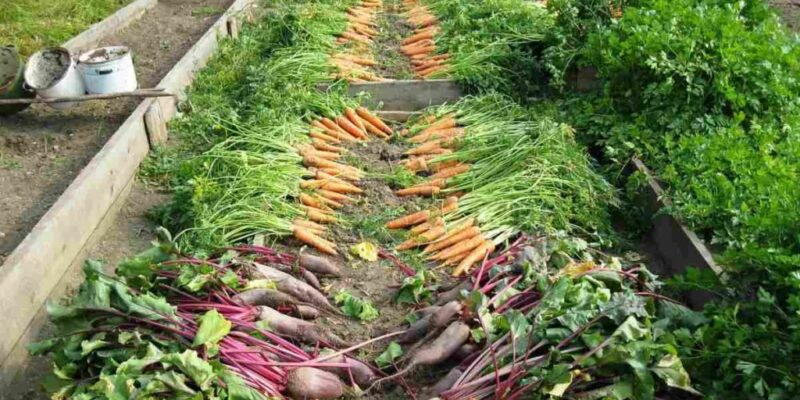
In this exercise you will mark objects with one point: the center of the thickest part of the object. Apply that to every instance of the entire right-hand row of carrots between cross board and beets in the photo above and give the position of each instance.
(462, 245)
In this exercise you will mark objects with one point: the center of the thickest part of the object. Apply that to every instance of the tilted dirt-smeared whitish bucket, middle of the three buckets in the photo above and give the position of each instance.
(52, 73)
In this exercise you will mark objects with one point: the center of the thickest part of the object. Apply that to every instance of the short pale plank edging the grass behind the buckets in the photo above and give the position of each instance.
(113, 23)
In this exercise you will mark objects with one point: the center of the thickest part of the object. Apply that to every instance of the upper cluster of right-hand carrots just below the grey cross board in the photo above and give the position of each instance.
(437, 139)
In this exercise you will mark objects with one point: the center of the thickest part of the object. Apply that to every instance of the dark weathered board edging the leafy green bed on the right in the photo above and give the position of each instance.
(678, 246)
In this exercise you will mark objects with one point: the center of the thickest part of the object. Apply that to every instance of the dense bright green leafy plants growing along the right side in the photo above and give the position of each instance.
(706, 92)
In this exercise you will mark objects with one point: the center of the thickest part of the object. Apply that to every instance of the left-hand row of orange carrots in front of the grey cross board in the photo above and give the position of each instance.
(332, 181)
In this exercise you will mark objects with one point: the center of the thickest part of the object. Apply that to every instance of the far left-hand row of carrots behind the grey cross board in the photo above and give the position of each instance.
(353, 63)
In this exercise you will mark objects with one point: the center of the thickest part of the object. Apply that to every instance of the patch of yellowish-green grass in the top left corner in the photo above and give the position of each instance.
(30, 25)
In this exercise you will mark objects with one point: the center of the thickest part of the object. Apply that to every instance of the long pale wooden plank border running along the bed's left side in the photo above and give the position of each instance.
(34, 270)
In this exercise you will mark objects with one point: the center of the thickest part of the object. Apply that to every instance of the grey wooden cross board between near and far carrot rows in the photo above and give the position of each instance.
(405, 95)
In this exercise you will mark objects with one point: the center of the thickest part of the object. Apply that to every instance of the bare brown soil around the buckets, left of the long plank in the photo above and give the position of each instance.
(42, 150)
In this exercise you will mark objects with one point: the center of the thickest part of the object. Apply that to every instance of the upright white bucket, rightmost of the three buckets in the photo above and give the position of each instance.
(108, 70)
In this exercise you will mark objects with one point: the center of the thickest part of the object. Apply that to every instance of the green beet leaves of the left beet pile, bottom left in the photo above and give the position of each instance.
(106, 346)
